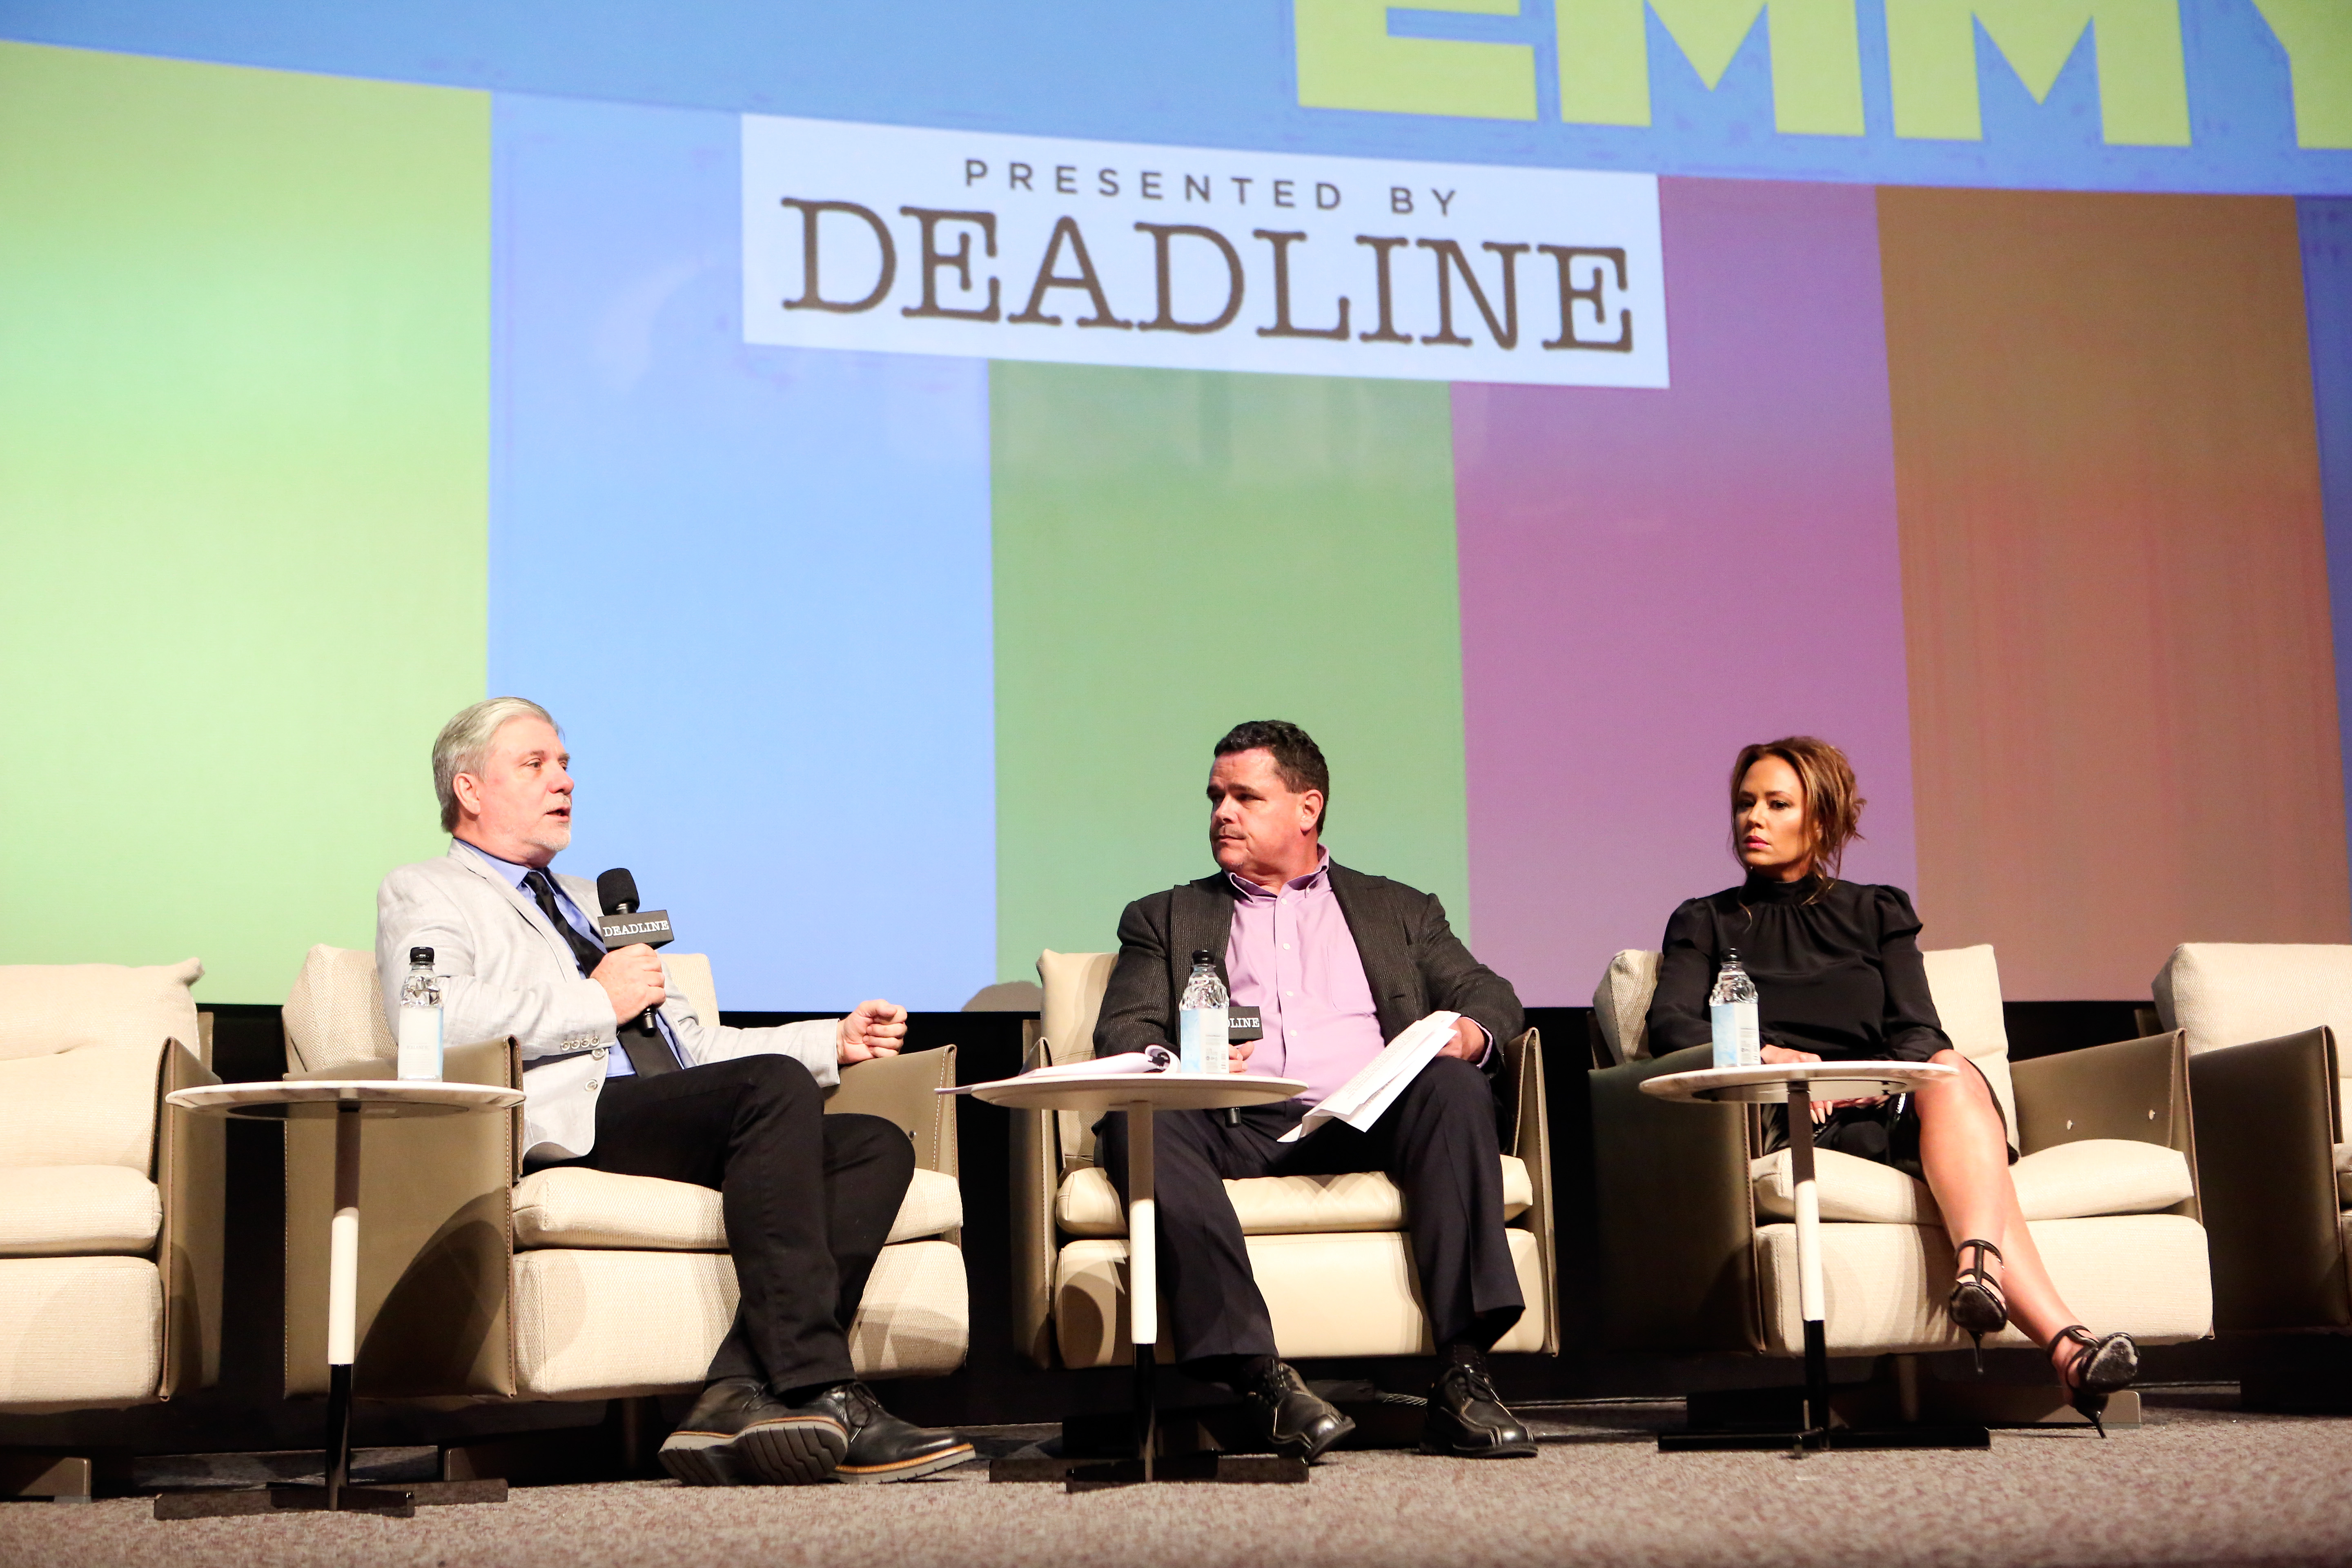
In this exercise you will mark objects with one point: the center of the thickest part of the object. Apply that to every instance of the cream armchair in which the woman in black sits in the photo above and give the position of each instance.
(1697, 1224)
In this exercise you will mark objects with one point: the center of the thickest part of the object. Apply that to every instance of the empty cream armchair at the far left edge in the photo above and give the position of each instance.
(109, 1198)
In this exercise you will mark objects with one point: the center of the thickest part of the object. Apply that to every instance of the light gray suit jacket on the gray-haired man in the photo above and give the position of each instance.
(509, 972)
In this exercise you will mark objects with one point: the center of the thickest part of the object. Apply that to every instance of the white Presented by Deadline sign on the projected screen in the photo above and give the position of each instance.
(1102, 253)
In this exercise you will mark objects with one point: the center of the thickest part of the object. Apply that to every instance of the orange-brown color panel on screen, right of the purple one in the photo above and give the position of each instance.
(2113, 582)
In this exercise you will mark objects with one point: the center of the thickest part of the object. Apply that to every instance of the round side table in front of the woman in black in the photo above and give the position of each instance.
(1798, 1085)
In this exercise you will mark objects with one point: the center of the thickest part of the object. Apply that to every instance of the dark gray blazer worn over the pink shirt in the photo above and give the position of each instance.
(1412, 960)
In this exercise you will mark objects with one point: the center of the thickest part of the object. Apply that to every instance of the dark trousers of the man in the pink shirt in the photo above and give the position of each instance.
(1438, 1144)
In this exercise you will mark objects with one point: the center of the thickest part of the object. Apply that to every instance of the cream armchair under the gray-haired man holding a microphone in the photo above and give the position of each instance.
(479, 1280)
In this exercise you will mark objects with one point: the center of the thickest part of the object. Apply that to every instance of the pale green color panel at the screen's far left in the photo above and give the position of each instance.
(243, 483)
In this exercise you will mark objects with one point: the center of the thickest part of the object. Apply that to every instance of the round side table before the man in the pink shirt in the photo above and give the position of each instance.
(1140, 1094)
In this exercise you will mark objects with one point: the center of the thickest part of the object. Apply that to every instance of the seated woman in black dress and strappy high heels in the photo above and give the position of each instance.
(1840, 977)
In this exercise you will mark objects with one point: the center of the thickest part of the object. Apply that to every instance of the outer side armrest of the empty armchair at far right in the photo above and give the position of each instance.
(2266, 1127)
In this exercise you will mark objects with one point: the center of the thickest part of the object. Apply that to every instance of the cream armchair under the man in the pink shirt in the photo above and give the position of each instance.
(1328, 1252)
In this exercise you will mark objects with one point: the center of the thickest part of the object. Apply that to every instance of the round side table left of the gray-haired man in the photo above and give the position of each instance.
(349, 1101)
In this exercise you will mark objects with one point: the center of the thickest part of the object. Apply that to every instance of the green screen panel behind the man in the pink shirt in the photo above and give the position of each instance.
(1180, 551)
